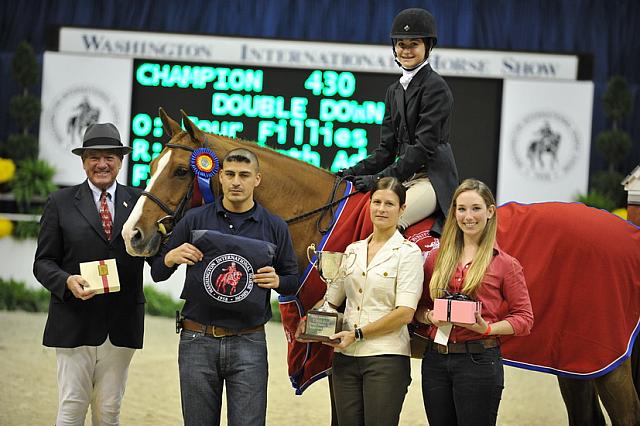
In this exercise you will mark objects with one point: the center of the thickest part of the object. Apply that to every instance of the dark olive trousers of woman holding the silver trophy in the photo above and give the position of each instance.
(370, 390)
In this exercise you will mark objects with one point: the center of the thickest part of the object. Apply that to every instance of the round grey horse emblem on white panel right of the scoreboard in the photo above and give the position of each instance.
(545, 145)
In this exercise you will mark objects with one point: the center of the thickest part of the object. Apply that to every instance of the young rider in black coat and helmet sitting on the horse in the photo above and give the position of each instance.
(414, 138)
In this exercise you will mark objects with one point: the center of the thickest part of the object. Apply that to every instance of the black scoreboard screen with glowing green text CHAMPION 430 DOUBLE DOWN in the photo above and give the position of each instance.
(327, 118)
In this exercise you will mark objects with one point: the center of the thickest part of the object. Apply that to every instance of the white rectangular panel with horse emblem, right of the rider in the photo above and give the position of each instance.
(545, 141)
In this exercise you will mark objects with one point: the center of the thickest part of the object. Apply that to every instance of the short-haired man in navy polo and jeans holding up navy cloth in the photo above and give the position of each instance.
(219, 345)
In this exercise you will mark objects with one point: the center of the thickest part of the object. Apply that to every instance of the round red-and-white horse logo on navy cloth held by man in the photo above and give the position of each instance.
(228, 278)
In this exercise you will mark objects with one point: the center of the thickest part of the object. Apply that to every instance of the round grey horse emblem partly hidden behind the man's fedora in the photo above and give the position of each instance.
(76, 108)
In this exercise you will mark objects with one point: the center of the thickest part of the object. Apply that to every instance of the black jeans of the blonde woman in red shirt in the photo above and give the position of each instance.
(462, 389)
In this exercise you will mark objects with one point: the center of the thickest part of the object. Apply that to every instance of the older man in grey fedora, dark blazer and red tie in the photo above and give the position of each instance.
(95, 335)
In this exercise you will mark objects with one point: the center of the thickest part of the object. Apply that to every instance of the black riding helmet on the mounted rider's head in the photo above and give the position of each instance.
(414, 23)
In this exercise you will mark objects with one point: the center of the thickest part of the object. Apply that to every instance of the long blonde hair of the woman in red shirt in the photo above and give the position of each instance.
(452, 242)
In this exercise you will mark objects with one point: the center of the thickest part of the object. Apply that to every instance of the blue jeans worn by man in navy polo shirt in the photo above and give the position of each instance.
(206, 363)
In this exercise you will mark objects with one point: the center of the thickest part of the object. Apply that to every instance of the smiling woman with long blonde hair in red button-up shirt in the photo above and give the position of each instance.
(462, 375)
